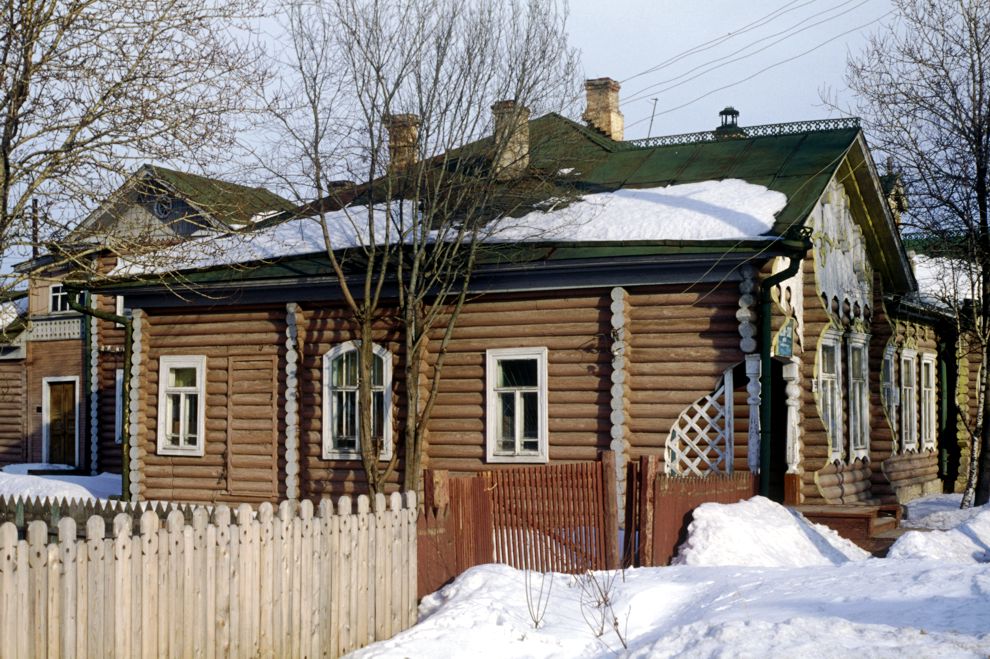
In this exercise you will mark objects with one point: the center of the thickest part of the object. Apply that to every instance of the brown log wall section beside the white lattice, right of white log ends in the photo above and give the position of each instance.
(681, 343)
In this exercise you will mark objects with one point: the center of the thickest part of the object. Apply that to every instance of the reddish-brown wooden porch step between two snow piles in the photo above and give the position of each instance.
(872, 527)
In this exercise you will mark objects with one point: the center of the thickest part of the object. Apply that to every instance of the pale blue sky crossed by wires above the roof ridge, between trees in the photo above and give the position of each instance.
(734, 40)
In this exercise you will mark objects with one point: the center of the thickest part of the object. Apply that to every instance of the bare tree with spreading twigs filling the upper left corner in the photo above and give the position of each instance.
(89, 88)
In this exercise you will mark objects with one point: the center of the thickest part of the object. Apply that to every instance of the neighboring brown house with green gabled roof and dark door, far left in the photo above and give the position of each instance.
(71, 365)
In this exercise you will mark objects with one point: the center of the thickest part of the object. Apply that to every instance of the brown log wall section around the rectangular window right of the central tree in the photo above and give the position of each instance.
(575, 328)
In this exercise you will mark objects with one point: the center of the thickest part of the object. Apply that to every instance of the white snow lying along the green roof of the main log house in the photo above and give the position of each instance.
(712, 210)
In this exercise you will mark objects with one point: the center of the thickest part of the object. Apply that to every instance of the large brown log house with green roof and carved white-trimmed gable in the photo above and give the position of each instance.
(630, 323)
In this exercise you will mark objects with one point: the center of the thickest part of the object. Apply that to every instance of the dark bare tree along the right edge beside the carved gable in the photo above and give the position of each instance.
(924, 89)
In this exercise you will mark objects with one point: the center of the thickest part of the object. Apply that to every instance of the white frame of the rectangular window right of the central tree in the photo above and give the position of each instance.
(492, 453)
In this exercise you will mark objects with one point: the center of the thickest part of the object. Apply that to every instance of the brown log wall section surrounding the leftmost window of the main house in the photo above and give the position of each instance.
(242, 348)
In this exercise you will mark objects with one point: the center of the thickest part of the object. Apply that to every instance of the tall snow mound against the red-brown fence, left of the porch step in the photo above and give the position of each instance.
(761, 533)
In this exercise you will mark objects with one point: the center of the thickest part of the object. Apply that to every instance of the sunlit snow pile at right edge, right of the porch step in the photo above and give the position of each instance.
(967, 543)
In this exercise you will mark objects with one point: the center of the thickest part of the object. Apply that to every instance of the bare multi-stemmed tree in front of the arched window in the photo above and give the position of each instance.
(393, 95)
